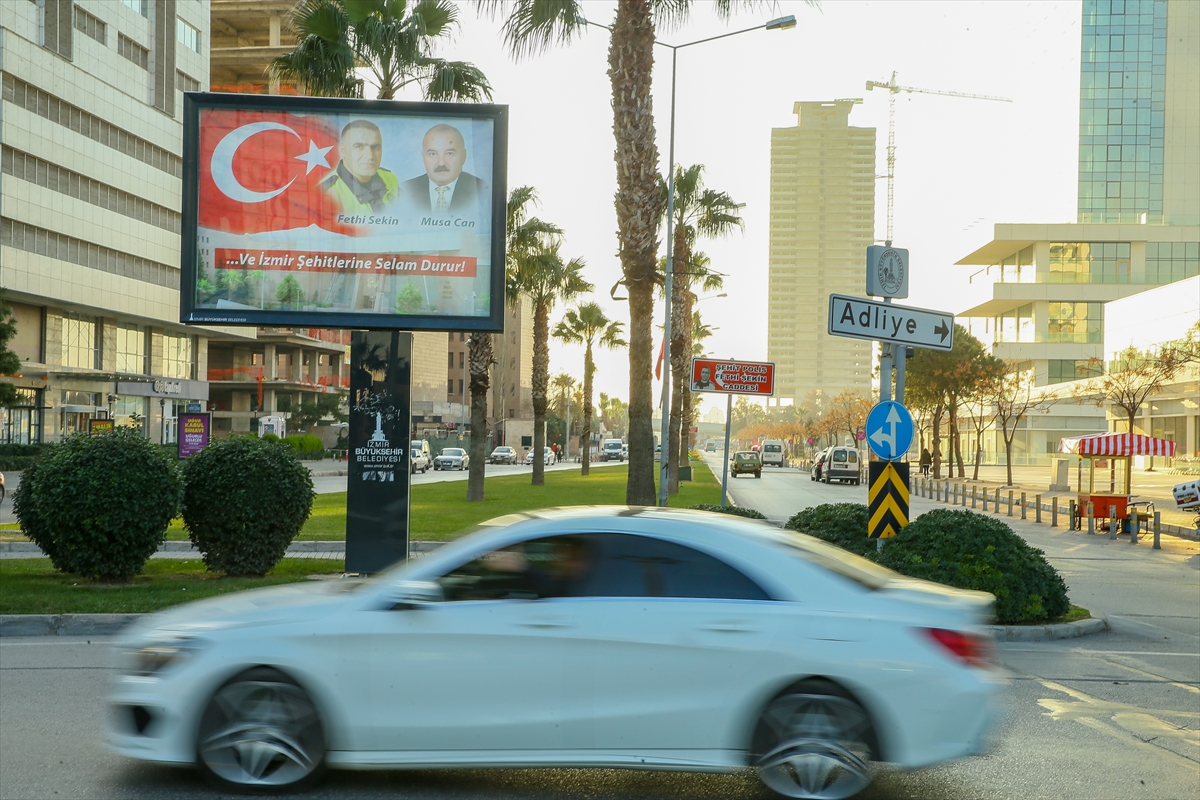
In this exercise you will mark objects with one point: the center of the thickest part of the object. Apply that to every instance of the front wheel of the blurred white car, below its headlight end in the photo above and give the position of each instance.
(261, 732)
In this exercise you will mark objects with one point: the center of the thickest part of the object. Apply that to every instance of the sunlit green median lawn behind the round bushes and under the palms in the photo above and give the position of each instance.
(441, 510)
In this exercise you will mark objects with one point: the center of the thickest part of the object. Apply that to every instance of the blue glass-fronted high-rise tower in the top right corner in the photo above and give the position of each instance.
(1139, 107)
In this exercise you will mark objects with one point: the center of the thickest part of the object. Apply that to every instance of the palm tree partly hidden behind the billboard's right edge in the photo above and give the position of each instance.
(524, 236)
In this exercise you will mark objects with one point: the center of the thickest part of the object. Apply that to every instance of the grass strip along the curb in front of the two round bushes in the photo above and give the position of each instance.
(33, 587)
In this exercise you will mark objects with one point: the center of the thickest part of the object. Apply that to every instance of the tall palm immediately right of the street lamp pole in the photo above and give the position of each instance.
(699, 212)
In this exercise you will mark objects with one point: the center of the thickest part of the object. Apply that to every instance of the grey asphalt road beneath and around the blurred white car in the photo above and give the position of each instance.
(1109, 717)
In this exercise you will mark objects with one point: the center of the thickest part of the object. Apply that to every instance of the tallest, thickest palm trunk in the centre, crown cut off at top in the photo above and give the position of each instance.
(533, 27)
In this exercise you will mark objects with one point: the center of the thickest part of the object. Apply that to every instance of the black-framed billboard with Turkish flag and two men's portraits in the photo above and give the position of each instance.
(331, 213)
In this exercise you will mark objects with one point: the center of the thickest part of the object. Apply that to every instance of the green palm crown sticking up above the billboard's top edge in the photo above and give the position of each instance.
(391, 39)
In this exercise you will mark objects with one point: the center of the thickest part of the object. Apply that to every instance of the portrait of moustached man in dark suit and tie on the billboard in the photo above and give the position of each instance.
(446, 190)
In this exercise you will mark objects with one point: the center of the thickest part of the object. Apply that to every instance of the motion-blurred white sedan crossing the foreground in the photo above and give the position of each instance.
(591, 637)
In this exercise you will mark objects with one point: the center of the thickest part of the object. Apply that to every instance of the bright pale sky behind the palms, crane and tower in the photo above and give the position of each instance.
(962, 165)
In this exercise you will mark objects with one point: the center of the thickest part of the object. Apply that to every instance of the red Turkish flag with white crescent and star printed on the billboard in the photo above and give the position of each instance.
(260, 172)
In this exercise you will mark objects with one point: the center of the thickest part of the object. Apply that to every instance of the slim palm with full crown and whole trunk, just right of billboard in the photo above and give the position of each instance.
(542, 275)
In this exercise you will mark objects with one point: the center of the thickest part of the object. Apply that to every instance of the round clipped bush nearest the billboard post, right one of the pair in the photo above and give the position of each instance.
(244, 502)
